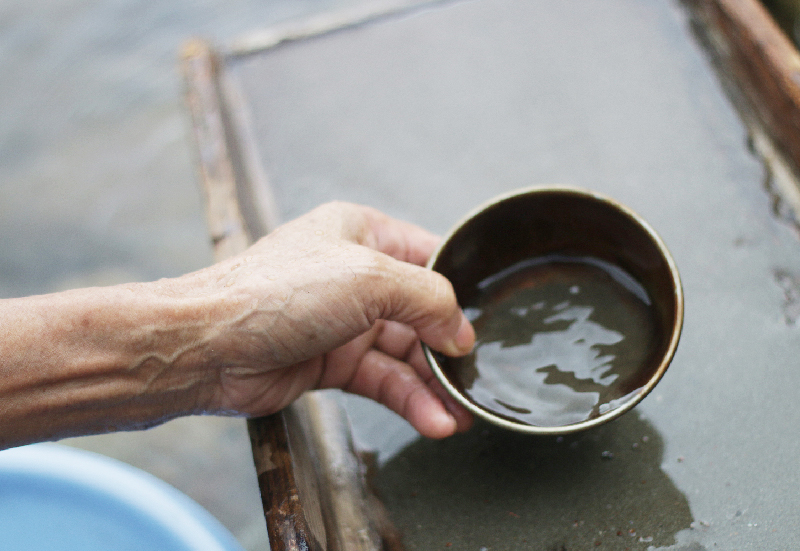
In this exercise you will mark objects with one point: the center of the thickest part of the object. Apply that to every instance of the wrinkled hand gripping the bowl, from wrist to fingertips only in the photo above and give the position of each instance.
(338, 299)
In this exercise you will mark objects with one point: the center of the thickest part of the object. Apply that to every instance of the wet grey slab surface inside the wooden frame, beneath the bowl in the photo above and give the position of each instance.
(425, 117)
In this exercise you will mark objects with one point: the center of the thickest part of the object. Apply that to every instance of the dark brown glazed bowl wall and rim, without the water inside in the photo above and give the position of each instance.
(564, 222)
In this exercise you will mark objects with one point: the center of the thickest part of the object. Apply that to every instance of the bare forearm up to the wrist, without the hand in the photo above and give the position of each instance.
(94, 360)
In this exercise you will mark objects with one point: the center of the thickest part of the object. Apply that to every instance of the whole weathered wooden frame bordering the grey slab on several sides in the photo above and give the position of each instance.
(312, 485)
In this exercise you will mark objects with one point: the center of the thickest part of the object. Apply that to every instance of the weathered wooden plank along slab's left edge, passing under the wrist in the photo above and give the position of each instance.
(311, 480)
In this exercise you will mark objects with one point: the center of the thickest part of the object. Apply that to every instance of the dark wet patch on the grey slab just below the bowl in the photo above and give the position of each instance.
(505, 491)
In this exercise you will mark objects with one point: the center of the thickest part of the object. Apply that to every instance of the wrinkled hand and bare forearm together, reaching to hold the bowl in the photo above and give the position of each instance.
(336, 298)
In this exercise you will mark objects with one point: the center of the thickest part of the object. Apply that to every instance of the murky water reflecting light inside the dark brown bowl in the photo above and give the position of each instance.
(559, 340)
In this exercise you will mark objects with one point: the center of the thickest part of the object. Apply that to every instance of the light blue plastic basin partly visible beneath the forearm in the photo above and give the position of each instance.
(57, 498)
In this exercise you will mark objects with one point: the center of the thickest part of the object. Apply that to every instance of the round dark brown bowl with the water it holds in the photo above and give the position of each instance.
(577, 306)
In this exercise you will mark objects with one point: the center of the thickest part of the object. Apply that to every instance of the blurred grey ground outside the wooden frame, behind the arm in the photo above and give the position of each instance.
(98, 186)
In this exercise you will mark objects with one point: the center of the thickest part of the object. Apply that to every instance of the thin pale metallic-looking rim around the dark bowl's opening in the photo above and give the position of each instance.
(635, 397)
